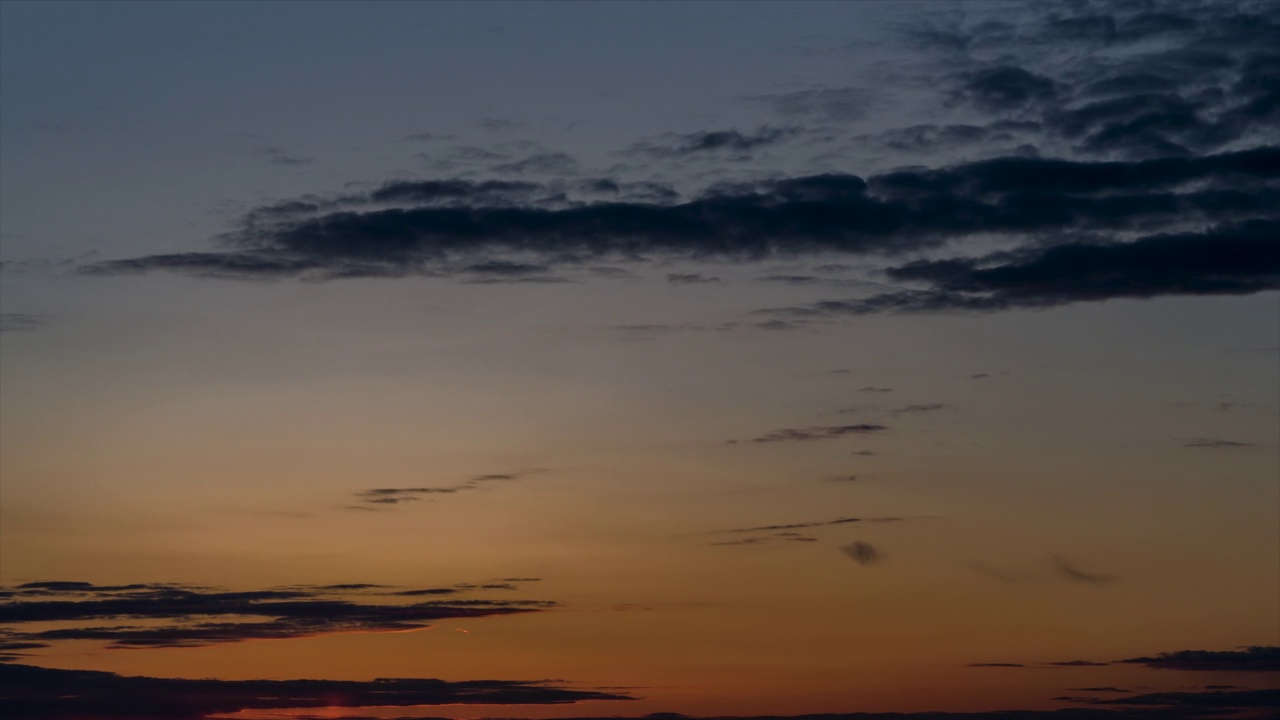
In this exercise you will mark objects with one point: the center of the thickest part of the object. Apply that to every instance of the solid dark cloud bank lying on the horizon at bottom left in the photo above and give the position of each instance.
(43, 694)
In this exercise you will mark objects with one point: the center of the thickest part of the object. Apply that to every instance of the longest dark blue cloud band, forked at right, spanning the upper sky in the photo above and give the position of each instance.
(449, 226)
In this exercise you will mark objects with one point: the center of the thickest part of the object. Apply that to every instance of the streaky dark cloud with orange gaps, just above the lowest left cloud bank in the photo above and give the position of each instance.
(199, 617)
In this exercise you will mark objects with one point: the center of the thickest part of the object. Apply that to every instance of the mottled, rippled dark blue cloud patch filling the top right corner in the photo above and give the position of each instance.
(1212, 83)
